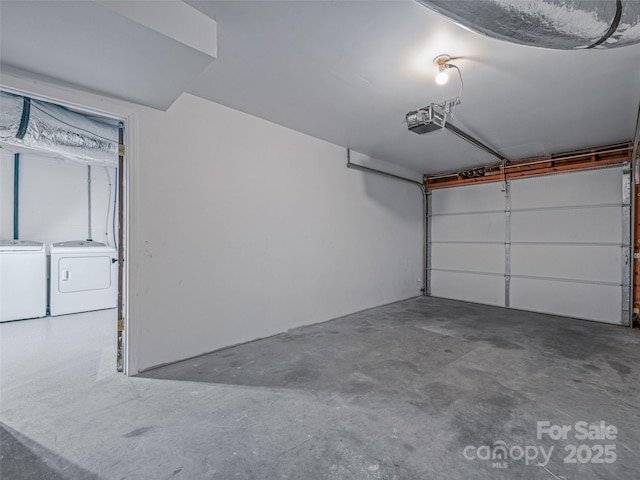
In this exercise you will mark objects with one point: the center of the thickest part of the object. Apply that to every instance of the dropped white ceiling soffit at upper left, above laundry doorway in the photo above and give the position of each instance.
(90, 46)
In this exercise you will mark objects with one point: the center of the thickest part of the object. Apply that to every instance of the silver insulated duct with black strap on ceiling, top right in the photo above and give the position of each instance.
(557, 24)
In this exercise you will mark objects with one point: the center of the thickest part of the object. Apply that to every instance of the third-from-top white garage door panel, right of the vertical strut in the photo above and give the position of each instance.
(597, 263)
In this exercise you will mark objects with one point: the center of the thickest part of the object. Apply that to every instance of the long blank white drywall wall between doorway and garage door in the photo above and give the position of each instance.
(245, 229)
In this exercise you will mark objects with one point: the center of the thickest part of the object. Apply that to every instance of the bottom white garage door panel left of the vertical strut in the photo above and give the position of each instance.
(485, 289)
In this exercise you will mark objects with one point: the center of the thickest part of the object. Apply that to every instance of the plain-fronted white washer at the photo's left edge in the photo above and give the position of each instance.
(23, 280)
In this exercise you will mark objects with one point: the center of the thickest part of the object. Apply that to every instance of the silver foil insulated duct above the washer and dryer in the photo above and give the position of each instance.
(28, 124)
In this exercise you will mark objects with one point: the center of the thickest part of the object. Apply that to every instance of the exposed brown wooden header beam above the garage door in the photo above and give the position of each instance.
(588, 158)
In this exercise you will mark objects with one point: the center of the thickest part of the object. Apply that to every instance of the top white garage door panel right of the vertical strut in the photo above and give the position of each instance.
(571, 188)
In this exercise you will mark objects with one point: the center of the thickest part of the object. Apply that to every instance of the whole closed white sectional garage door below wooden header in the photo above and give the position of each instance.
(556, 244)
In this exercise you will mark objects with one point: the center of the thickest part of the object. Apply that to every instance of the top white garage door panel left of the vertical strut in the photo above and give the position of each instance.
(472, 198)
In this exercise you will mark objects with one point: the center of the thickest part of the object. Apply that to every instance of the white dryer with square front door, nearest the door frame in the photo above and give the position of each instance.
(84, 277)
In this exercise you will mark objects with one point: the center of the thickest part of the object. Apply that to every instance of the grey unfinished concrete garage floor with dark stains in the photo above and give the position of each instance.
(421, 389)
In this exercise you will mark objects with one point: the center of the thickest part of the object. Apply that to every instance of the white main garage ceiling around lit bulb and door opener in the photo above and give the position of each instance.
(348, 72)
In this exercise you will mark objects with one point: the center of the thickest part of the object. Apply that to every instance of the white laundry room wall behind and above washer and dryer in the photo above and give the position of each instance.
(53, 199)
